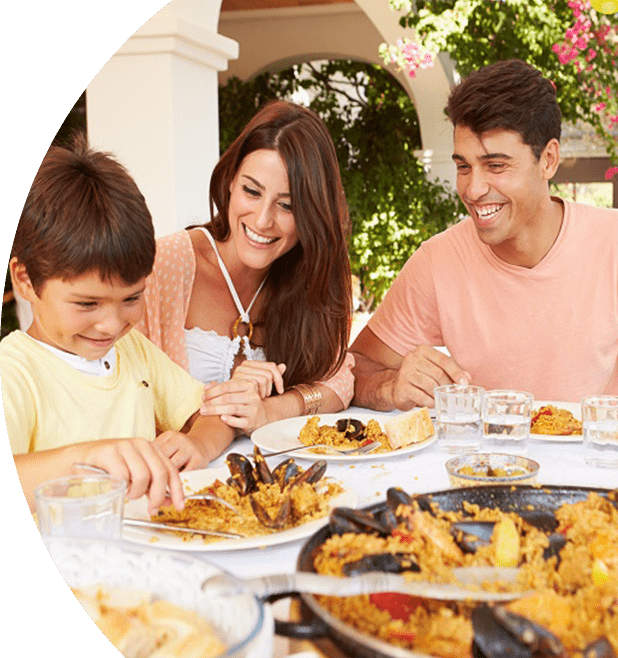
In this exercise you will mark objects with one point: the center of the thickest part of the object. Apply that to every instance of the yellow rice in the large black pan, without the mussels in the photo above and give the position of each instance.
(567, 600)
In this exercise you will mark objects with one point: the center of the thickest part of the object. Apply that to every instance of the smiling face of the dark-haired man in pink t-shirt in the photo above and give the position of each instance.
(501, 184)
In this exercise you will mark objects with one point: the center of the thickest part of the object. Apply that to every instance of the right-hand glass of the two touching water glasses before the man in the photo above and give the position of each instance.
(506, 421)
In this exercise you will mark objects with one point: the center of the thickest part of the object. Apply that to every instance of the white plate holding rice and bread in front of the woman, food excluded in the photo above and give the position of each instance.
(283, 435)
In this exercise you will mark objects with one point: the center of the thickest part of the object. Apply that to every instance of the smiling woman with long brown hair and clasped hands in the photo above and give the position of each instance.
(258, 300)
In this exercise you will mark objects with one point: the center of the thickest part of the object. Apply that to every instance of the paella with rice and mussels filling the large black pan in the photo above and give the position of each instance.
(569, 557)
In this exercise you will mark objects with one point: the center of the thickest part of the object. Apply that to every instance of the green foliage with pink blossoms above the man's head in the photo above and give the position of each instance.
(570, 43)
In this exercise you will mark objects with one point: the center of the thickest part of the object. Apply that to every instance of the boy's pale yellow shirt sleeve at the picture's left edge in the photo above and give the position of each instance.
(19, 408)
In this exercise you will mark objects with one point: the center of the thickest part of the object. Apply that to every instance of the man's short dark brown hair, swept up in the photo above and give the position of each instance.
(508, 95)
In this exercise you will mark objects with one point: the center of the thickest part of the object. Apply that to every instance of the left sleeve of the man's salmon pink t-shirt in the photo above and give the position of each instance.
(408, 314)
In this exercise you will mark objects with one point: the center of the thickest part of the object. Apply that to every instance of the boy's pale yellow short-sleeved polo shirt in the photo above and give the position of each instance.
(49, 404)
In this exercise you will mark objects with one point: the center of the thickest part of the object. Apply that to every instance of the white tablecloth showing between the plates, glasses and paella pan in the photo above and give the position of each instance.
(421, 471)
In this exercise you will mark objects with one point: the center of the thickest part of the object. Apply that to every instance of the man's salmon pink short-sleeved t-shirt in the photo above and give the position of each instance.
(551, 329)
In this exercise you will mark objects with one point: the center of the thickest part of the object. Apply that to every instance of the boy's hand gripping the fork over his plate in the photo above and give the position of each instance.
(143, 464)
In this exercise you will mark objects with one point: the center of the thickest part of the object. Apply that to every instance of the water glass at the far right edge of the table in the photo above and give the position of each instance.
(600, 427)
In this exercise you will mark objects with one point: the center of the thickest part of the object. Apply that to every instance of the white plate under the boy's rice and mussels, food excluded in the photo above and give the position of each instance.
(194, 481)
